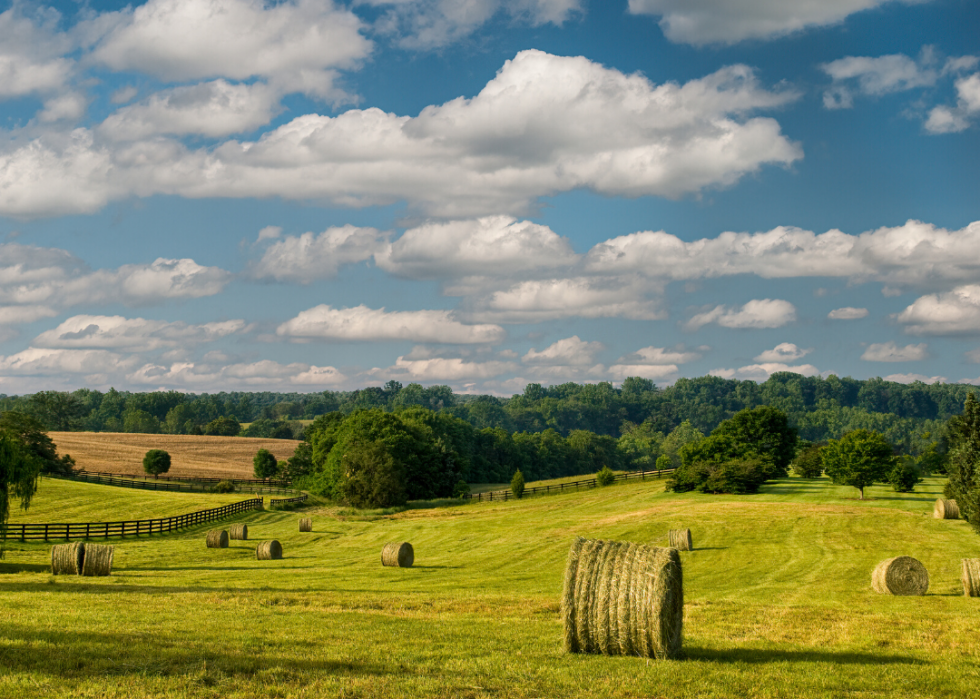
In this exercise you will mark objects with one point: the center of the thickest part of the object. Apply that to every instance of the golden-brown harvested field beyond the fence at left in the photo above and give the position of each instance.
(191, 455)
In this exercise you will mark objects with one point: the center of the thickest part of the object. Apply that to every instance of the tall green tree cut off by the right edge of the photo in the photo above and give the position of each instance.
(963, 465)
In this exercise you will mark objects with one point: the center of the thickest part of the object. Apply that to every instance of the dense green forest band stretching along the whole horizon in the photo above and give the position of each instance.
(818, 408)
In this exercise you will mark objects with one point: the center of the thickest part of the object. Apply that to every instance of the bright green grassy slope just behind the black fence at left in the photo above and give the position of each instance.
(66, 501)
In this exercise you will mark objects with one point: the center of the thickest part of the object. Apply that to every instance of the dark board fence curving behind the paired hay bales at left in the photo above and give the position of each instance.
(89, 530)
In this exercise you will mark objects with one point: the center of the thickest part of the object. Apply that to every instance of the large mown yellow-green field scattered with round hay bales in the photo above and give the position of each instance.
(777, 592)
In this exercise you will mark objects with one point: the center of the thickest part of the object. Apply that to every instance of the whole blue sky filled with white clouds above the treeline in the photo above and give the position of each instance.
(209, 195)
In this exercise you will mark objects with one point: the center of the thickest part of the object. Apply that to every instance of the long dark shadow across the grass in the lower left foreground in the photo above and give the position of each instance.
(84, 654)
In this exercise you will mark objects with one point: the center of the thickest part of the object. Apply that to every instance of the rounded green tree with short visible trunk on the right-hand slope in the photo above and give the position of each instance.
(859, 458)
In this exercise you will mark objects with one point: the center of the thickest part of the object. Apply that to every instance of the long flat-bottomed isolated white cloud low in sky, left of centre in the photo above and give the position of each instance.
(368, 324)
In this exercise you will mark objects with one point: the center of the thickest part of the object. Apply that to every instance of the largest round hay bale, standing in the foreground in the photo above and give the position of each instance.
(621, 598)
